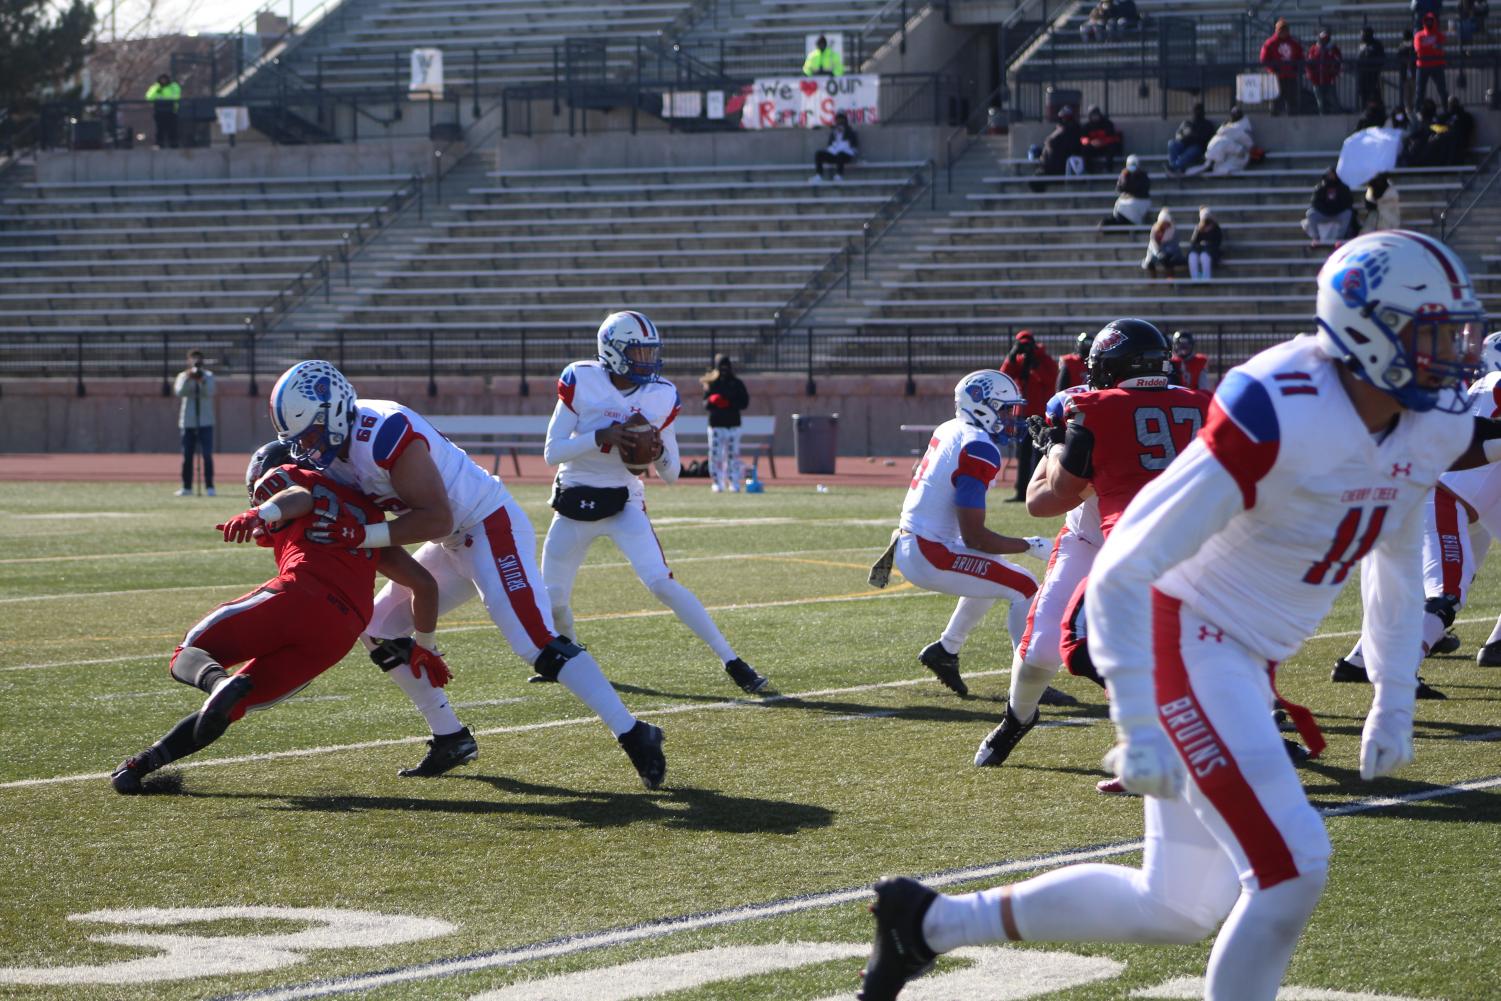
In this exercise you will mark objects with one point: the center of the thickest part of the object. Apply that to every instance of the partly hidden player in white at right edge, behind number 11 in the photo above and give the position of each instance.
(1464, 516)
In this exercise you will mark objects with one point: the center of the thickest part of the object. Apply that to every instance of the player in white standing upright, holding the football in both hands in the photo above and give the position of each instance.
(597, 494)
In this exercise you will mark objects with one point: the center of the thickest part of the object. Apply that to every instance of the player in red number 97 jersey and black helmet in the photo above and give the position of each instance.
(1116, 439)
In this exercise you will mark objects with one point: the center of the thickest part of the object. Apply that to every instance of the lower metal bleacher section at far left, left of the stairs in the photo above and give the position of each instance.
(139, 268)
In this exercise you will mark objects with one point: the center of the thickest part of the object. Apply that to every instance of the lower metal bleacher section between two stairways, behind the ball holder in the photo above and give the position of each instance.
(532, 260)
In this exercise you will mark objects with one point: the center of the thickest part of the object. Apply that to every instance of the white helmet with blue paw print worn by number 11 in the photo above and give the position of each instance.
(1383, 302)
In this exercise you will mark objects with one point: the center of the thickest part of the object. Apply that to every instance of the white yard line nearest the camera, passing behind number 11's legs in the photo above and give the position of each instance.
(663, 928)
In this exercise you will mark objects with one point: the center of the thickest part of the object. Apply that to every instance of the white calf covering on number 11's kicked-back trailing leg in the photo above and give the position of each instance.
(1101, 904)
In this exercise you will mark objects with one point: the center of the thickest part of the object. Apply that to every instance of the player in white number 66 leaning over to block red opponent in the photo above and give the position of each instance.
(478, 541)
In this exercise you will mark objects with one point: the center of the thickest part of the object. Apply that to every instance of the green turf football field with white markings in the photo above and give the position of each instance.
(290, 861)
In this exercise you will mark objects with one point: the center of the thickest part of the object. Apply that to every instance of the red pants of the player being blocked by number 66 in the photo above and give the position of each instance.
(286, 633)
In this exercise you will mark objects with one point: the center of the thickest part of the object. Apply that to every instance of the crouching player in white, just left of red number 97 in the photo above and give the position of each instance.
(943, 544)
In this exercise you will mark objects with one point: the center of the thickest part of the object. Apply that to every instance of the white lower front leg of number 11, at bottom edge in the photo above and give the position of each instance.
(1253, 952)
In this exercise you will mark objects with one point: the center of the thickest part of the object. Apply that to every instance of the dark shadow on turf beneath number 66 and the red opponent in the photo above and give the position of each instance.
(681, 808)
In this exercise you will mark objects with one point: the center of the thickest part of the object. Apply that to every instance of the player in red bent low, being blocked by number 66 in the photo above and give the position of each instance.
(298, 625)
